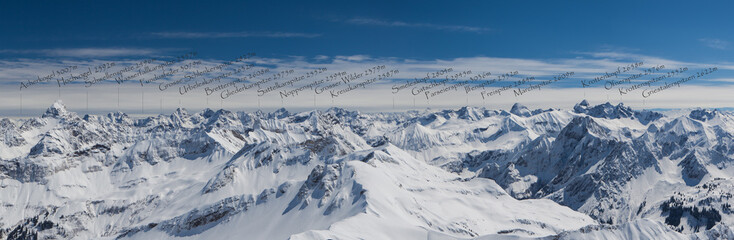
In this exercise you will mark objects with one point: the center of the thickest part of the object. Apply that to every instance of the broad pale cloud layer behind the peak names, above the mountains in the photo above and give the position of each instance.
(704, 92)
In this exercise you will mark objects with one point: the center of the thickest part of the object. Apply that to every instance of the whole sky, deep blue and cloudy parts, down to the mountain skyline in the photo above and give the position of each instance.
(538, 38)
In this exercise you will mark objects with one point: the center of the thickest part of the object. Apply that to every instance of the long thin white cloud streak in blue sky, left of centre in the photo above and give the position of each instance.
(193, 35)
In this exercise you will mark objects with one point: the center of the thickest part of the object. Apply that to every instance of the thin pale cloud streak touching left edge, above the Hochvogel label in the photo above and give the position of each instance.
(84, 52)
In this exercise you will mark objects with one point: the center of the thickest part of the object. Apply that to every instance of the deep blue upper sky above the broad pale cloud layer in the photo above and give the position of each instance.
(684, 31)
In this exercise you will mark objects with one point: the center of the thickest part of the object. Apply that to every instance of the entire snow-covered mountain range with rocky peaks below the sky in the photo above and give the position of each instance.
(592, 172)
